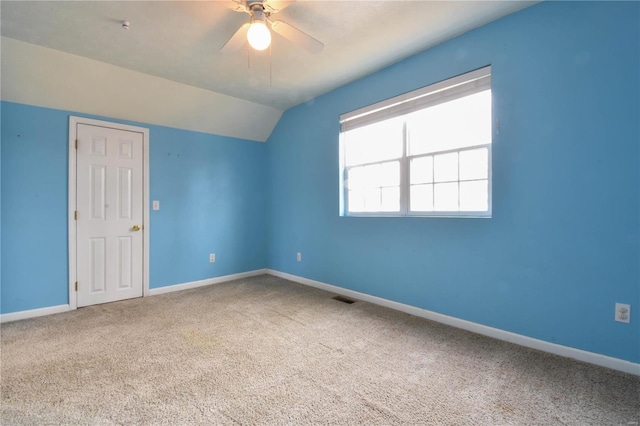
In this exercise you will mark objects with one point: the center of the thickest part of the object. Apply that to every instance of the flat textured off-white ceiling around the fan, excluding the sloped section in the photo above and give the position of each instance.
(181, 40)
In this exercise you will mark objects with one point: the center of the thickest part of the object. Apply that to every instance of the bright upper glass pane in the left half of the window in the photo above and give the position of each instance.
(375, 142)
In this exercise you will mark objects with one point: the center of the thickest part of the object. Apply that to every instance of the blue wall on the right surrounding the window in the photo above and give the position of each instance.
(563, 244)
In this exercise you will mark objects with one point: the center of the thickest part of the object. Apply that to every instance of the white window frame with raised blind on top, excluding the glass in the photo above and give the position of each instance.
(444, 91)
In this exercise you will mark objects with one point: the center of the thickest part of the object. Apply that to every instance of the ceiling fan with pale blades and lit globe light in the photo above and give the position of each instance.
(257, 33)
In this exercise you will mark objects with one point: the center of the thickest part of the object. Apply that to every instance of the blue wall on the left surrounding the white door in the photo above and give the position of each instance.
(211, 191)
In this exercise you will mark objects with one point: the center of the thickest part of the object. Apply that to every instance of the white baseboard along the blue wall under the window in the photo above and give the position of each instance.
(541, 345)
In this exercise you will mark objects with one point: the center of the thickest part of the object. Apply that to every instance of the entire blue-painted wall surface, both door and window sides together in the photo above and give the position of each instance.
(562, 246)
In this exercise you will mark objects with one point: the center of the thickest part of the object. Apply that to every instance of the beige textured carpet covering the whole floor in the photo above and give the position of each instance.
(267, 351)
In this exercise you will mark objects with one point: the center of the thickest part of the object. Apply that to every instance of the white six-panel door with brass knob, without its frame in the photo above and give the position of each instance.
(109, 201)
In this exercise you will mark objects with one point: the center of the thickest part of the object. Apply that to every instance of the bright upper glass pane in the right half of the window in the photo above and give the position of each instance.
(451, 125)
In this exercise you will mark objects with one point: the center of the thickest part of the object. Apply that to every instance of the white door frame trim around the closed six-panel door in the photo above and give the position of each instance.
(73, 128)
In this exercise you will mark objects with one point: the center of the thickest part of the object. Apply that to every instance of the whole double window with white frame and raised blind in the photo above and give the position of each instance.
(424, 153)
